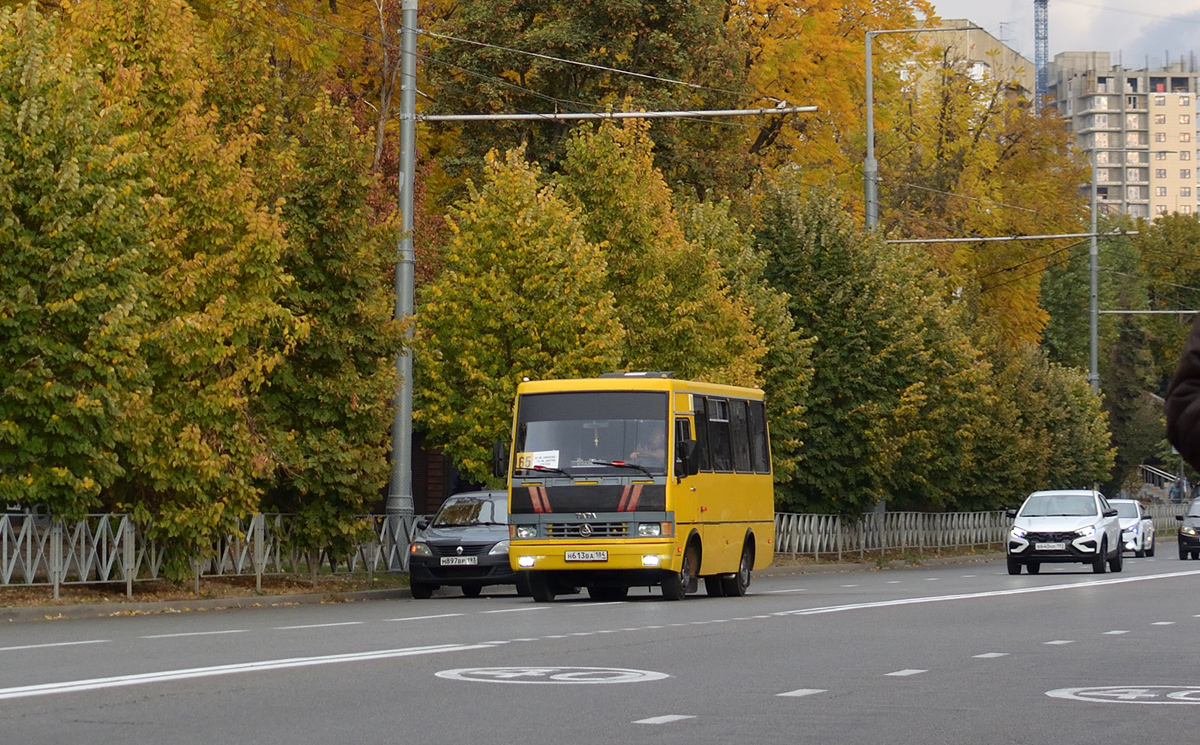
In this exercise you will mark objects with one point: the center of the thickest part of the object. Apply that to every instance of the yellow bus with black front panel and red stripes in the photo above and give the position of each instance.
(638, 480)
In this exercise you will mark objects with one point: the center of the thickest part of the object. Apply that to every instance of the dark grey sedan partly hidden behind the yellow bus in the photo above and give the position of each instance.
(466, 545)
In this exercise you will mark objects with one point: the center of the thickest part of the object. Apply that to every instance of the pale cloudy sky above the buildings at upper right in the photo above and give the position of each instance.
(1136, 29)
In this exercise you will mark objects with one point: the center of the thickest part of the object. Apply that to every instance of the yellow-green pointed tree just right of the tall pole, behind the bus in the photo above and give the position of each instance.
(523, 293)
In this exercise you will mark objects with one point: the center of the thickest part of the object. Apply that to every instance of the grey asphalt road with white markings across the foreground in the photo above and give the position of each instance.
(949, 654)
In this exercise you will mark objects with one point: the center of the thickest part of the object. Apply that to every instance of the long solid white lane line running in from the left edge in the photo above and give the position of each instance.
(93, 684)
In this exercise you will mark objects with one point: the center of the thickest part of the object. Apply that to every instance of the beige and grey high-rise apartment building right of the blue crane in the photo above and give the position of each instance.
(1138, 128)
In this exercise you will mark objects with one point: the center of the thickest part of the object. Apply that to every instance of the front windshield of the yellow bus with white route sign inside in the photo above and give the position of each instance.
(592, 432)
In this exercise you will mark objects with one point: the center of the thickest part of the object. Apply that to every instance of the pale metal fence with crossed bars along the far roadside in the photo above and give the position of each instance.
(111, 549)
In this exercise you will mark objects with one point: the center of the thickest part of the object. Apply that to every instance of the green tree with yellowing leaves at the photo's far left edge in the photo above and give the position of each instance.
(75, 239)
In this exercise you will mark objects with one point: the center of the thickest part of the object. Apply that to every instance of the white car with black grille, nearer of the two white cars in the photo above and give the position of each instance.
(1064, 527)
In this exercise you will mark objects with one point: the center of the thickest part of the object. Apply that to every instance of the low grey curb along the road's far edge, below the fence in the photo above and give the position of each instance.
(116, 610)
